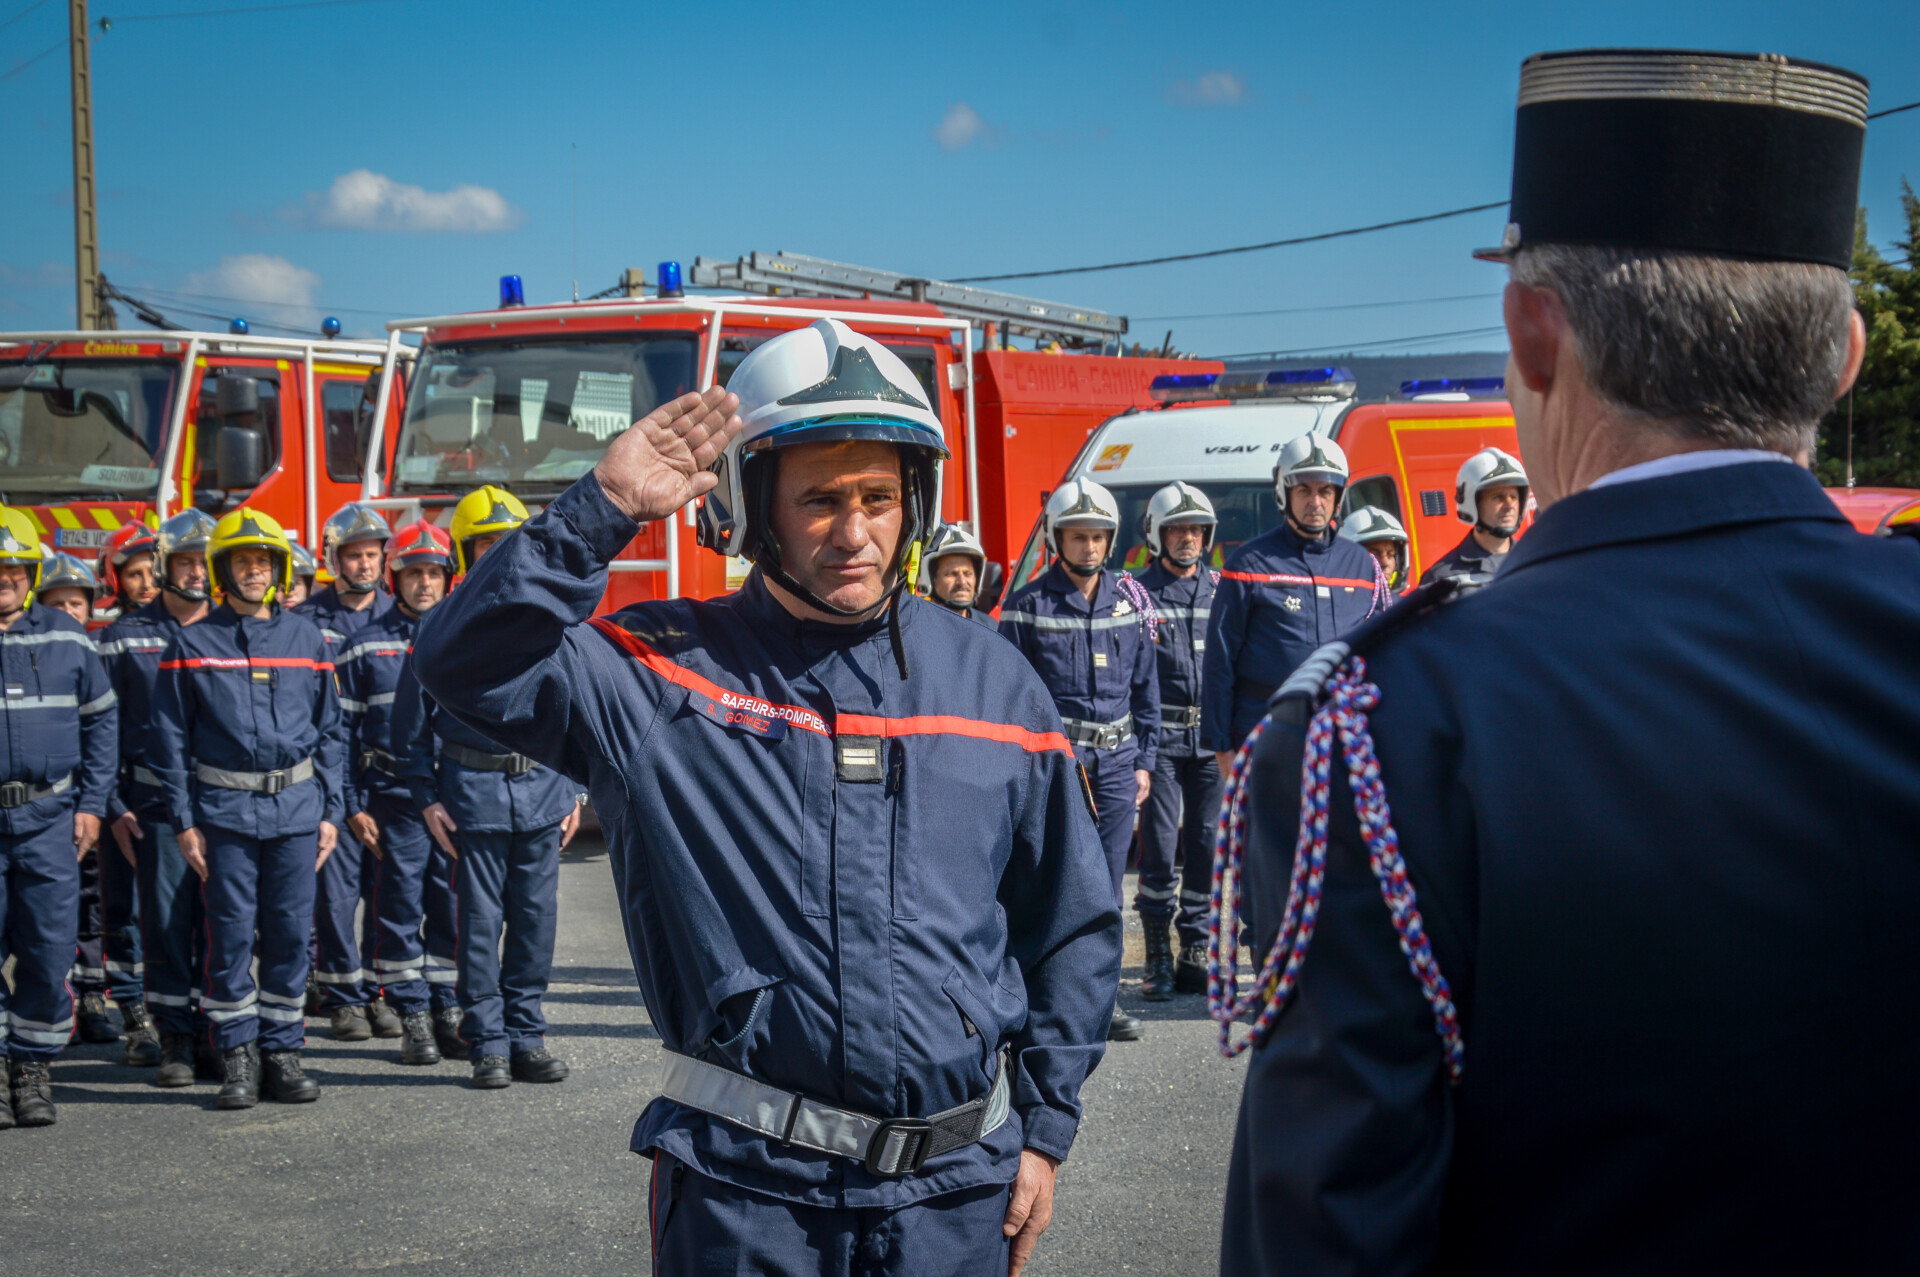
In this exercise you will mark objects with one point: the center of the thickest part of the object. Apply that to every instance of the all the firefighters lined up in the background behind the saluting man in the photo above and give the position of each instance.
(247, 765)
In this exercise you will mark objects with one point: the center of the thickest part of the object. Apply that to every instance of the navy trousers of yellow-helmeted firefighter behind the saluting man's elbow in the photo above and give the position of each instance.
(506, 882)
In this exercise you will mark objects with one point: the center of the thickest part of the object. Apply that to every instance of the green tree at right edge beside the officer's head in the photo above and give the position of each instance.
(1886, 400)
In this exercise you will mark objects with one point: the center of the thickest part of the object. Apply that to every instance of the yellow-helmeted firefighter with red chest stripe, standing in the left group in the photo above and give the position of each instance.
(247, 746)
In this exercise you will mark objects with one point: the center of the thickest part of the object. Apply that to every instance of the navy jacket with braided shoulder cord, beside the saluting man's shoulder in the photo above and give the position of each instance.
(1092, 656)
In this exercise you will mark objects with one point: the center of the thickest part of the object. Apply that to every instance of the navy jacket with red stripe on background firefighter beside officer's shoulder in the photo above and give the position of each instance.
(1280, 598)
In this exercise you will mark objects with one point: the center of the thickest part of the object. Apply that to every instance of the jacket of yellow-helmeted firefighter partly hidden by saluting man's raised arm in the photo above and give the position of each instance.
(477, 800)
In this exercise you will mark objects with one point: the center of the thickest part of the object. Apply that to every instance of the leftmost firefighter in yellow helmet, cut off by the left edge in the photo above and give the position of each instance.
(57, 759)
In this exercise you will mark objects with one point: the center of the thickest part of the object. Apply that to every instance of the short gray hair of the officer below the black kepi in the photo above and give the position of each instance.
(1740, 354)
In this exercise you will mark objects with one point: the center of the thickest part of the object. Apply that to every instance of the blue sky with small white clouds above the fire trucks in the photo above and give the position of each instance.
(395, 158)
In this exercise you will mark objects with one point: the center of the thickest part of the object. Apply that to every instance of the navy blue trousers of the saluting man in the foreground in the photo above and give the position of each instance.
(711, 1228)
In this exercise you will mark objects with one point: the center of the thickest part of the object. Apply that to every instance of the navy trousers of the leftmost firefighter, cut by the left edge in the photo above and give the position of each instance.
(39, 927)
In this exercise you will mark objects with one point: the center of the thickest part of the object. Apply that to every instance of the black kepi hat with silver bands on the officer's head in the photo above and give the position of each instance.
(1750, 157)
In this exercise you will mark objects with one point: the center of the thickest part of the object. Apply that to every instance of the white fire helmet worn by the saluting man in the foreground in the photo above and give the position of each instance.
(821, 385)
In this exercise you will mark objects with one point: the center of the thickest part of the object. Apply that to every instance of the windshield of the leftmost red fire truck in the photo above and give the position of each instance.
(84, 429)
